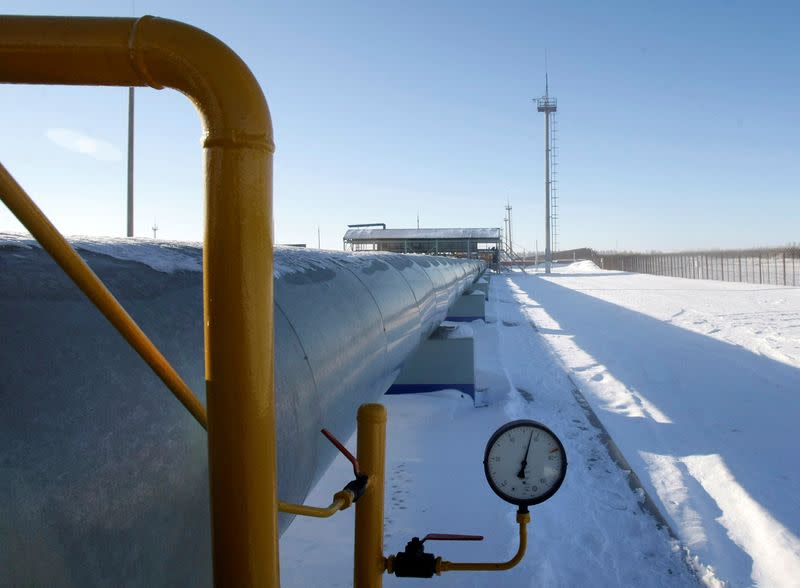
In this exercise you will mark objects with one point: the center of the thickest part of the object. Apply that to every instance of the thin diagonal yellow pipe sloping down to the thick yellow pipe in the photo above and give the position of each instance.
(21, 205)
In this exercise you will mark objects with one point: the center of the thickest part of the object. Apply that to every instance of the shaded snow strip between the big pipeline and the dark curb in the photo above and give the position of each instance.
(593, 532)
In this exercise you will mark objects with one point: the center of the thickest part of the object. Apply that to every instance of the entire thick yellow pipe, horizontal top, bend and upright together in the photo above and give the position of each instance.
(237, 255)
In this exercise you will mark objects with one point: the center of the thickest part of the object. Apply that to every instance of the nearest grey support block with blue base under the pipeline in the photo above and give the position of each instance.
(444, 361)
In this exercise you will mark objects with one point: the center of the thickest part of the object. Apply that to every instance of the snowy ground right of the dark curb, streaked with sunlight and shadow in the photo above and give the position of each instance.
(698, 383)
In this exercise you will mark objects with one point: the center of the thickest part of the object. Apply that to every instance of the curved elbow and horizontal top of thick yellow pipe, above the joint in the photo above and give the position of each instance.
(146, 51)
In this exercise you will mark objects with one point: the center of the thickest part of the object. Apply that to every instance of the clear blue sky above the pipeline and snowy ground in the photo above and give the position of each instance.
(678, 122)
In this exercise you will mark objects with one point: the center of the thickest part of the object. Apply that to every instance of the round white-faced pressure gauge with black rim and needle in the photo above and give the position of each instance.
(525, 463)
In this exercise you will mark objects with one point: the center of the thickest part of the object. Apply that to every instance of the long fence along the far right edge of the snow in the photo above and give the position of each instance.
(780, 267)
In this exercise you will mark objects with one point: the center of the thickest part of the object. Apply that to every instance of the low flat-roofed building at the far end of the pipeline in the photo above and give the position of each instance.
(476, 243)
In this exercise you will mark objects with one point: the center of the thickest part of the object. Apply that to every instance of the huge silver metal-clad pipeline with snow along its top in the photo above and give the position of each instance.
(105, 477)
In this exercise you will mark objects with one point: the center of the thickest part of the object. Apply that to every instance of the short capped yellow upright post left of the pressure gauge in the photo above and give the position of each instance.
(368, 552)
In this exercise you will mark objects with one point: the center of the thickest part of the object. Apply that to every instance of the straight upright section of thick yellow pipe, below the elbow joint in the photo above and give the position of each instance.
(237, 276)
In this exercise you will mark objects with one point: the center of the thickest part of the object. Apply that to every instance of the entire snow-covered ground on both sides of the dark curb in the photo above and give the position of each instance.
(696, 381)
